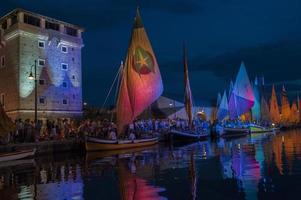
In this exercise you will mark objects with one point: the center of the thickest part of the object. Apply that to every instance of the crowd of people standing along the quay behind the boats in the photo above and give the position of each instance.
(27, 131)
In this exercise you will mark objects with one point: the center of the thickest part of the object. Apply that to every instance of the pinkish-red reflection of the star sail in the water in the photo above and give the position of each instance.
(133, 187)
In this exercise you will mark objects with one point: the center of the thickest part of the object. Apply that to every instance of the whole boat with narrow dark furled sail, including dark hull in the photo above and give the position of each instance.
(193, 132)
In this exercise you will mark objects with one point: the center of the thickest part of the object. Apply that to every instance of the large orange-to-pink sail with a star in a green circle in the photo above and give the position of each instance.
(141, 82)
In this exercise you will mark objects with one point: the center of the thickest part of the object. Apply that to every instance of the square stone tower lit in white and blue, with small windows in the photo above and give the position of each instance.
(27, 37)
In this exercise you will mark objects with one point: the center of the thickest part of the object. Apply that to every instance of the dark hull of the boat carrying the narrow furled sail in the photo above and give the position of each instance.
(187, 135)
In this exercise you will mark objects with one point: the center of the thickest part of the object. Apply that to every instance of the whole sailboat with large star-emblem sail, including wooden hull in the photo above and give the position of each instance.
(141, 85)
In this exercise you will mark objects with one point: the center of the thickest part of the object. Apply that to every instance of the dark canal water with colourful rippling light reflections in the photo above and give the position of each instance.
(260, 166)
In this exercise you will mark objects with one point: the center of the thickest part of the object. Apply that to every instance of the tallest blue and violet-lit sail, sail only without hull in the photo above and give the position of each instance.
(242, 96)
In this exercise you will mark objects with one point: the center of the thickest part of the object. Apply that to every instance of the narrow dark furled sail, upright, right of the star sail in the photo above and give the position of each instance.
(187, 92)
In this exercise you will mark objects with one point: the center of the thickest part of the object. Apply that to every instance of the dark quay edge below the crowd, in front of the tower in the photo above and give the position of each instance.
(47, 147)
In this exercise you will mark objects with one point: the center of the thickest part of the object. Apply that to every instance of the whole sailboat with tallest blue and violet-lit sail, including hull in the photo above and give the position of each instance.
(240, 102)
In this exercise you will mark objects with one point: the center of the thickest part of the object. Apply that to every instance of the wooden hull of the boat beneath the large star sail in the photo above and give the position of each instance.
(95, 144)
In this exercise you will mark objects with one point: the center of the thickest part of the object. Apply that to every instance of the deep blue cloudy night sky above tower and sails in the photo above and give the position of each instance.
(219, 34)
